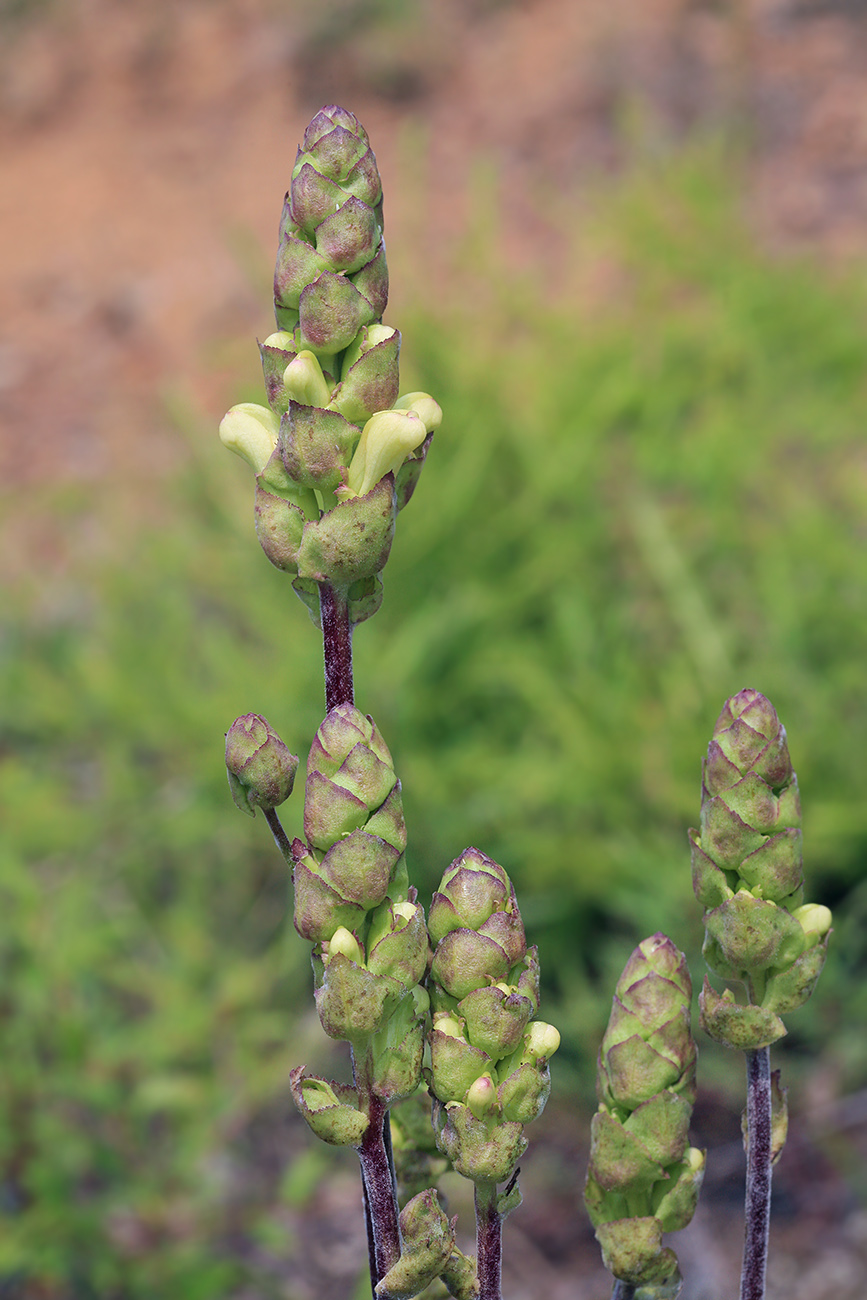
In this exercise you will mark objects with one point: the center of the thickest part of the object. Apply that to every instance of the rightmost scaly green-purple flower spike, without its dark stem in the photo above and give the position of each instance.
(748, 874)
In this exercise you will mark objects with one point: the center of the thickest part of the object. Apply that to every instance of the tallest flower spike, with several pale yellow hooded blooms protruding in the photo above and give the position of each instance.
(337, 452)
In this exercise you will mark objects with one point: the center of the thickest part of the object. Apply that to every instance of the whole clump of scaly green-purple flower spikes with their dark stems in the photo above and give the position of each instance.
(441, 1017)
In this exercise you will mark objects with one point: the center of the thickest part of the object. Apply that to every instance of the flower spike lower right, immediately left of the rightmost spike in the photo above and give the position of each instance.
(644, 1178)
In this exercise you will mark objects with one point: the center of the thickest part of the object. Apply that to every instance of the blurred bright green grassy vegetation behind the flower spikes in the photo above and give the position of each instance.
(628, 515)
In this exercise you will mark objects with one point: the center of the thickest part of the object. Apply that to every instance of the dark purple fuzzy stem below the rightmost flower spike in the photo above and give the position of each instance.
(758, 1175)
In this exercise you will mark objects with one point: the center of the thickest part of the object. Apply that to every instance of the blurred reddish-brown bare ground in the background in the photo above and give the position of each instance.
(145, 150)
